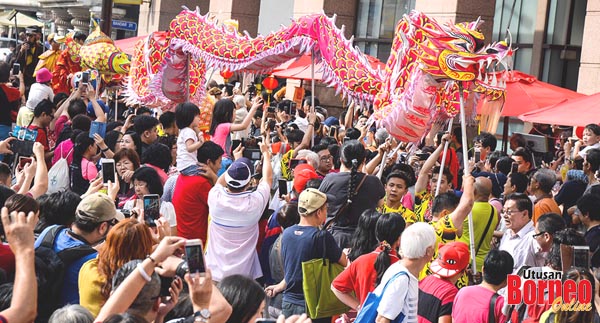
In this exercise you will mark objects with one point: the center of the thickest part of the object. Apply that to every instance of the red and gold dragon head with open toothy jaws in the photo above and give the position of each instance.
(457, 52)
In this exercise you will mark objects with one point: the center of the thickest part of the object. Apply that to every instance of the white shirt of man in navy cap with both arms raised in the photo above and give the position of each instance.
(233, 231)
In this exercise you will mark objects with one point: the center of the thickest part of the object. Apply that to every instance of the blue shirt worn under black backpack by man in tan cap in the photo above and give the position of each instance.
(70, 292)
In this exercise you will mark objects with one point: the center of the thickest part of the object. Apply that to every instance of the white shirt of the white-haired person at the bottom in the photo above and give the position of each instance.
(401, 295)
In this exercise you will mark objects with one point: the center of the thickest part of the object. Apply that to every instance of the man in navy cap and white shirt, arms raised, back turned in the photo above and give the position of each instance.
(235, 211)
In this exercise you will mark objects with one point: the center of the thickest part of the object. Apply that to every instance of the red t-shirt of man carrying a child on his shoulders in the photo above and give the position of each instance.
(190, 202)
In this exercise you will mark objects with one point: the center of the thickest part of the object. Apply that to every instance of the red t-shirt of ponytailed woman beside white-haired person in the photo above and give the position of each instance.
(360, 276)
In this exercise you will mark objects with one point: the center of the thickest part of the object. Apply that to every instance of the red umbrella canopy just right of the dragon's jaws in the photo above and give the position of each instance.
(525, 93)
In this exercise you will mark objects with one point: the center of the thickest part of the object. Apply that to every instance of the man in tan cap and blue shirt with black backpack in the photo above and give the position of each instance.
(94, 217)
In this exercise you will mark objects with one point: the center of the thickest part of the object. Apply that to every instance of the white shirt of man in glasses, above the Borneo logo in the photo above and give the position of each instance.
(522, 246)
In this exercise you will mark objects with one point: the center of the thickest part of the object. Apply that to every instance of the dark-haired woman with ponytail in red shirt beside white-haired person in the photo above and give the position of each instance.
(365, 273)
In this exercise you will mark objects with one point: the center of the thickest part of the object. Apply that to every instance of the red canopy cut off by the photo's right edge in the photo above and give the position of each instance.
(574, 112)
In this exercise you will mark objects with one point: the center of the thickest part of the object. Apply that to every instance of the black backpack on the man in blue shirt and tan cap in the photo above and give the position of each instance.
(50, 268)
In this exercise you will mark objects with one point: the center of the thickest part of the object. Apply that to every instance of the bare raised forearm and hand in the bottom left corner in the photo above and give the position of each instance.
(19, 234)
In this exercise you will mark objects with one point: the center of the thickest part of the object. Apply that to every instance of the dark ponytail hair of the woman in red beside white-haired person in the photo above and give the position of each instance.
(388, 229)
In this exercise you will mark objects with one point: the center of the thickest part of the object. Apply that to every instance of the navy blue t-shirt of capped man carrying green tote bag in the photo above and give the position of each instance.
(299, 244)
